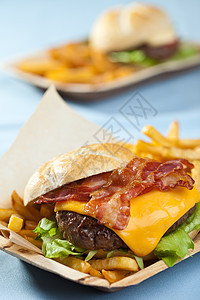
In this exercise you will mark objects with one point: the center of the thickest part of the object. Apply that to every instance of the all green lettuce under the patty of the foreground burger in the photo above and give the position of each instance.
(171, 247)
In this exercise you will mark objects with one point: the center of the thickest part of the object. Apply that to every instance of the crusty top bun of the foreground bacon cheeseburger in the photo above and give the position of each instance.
(78, 164)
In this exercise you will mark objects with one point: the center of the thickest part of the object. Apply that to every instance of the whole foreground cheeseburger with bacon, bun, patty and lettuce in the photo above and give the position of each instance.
(105, 198)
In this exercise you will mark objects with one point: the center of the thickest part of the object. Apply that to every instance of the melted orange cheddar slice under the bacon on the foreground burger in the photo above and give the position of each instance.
(151, 215)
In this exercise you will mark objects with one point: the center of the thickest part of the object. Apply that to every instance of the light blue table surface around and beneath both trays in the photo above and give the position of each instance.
(27, 26)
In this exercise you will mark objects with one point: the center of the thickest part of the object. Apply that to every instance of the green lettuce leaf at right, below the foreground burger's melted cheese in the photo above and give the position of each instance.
(175, 245)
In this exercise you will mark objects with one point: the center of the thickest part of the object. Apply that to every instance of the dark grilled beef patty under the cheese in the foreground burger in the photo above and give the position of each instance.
(84, 231)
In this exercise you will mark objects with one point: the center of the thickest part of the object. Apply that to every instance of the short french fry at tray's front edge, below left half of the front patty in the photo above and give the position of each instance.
(75, 263)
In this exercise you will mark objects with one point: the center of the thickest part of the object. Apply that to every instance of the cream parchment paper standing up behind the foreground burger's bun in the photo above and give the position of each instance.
(53, 129)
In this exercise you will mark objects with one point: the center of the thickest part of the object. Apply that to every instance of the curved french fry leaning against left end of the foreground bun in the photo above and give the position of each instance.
(28, 212)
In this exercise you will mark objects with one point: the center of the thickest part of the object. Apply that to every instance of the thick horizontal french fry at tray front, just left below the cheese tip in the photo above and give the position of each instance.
(115, 263)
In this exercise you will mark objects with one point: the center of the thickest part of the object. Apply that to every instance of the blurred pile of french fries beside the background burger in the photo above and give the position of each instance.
(75, 63)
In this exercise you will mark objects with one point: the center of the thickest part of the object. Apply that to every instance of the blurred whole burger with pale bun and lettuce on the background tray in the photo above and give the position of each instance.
(137, 33)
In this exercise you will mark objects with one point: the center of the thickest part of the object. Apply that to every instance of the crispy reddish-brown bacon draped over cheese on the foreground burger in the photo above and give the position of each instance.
(108, 194)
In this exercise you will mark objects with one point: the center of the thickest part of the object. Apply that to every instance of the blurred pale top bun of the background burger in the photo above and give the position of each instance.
(130, 26)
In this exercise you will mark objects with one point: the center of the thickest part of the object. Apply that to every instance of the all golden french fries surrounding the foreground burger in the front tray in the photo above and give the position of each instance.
(23, 220)
